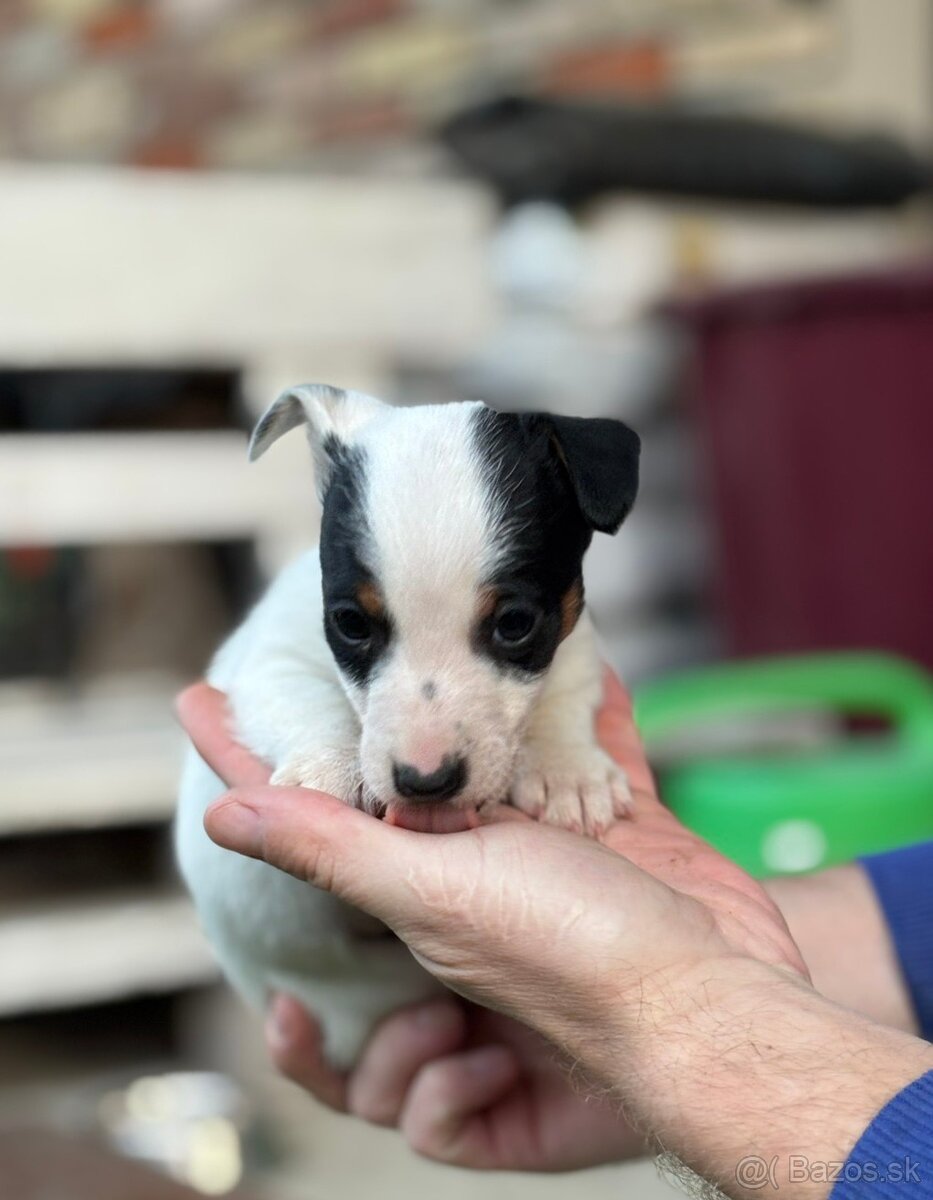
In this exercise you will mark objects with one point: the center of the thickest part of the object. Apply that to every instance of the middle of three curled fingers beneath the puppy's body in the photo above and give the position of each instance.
(396, 1053)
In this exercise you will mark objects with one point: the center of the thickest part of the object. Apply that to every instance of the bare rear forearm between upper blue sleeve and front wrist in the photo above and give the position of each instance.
(835, 919)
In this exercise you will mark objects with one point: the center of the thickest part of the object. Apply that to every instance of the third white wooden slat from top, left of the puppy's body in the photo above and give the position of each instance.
(73, 761)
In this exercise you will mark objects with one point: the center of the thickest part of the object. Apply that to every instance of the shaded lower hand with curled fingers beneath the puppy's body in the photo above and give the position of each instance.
(465, 1087)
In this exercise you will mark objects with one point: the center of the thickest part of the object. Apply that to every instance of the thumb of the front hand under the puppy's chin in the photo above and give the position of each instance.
(317, 838)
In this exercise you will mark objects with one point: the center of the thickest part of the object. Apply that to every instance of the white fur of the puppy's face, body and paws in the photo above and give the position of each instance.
(434, 535)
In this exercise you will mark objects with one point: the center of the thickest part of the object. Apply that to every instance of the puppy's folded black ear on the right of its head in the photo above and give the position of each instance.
(601, 458)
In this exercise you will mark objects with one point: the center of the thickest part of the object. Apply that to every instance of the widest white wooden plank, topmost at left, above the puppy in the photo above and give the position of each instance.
(178, 267)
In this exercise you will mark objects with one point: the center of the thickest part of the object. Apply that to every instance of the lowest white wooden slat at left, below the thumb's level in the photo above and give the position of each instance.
(99, 950)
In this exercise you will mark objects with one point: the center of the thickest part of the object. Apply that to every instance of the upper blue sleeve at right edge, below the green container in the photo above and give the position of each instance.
(904, 883)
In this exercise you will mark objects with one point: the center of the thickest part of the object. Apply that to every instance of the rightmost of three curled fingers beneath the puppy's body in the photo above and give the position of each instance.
(443, 1118)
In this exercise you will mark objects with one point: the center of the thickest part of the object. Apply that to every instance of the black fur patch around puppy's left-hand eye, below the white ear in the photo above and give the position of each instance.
(345, 577)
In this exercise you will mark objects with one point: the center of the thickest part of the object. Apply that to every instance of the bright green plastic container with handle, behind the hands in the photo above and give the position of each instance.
(794, 812)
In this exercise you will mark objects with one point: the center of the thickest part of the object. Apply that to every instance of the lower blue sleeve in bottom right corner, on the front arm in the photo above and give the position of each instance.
(894, 1157)
